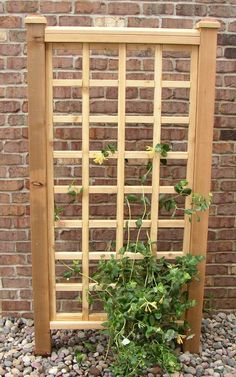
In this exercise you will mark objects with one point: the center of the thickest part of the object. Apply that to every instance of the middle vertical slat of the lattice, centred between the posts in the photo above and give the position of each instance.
(121, 146)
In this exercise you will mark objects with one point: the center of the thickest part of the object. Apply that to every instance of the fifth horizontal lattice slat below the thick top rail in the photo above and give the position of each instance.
(113, 223)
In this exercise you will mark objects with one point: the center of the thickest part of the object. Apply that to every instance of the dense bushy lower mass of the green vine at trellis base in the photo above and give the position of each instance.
(144, 299)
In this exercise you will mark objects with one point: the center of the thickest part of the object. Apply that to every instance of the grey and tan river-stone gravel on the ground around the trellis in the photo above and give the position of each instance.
(218, 356)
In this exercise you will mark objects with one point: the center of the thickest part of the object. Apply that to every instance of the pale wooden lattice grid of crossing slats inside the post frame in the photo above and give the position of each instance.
(156, 120)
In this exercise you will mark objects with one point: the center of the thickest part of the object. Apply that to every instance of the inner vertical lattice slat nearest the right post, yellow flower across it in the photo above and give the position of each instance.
(156, 140)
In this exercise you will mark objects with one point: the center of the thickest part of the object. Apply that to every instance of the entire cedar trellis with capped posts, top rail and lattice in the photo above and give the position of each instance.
(201, 44)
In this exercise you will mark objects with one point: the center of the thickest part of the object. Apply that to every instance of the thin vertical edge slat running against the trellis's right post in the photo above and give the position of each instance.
(191, 140)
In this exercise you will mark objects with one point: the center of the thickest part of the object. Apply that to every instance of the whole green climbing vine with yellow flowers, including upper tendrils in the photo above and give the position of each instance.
(145, 298)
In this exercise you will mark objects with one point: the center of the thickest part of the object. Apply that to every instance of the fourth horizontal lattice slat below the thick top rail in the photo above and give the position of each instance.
(63, 189)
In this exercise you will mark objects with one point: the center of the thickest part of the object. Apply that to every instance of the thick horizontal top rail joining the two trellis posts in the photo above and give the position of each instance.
(122, 35)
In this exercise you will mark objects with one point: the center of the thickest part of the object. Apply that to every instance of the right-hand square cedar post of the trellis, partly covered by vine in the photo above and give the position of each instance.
(202, 169)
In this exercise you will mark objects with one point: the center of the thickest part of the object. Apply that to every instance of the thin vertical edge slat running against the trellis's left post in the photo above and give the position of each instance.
(50, 178)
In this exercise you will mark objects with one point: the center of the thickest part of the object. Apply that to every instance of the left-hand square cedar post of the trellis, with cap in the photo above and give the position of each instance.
(38, 180)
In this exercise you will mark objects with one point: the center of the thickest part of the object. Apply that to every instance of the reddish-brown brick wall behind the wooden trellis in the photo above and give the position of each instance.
(15, 267)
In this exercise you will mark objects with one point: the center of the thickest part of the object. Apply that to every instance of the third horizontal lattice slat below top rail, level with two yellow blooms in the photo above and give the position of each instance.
(128, 154)
